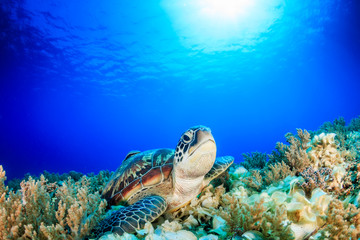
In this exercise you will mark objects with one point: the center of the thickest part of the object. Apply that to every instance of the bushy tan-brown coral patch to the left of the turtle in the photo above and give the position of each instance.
(38, 210)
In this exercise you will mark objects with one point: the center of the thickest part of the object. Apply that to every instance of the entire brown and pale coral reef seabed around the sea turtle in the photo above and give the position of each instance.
(308, 188)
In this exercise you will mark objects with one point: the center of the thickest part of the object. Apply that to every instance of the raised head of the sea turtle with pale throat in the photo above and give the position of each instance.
(195, 153)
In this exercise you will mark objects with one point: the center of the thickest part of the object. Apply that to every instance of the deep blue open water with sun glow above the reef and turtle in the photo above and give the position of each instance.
(83, 83)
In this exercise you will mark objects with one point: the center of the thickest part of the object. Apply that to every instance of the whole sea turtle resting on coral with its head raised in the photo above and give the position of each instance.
(160, 180)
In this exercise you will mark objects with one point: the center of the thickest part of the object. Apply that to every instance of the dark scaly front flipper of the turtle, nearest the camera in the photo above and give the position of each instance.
(131, 218)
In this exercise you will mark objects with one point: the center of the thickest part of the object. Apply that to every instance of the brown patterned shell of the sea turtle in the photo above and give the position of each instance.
(139, 172)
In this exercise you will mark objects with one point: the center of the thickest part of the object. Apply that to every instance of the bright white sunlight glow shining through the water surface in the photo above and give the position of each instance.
(223, 25)
